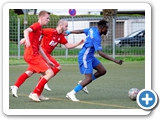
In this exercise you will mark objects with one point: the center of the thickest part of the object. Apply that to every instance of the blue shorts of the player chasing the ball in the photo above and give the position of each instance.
(87, 66)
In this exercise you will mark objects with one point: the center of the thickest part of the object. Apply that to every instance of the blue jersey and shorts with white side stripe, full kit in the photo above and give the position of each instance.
(86, 58)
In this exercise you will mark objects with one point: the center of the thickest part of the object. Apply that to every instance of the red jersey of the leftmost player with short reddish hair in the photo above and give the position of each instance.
(35, 39)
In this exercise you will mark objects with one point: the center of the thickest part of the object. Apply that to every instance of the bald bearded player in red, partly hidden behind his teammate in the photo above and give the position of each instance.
(51, 38)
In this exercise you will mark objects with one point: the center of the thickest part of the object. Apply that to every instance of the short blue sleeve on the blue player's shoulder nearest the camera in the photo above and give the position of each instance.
(97, 42)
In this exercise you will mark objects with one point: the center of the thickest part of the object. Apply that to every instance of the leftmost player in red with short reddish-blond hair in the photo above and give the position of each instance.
(33, 54)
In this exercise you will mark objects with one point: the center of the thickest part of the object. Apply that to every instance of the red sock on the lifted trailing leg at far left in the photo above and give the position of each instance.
(21, 79)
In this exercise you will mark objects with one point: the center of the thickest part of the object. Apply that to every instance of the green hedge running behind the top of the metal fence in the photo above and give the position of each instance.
(13, 22)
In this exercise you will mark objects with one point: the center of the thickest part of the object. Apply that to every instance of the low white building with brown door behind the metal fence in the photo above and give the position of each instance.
(125, 25)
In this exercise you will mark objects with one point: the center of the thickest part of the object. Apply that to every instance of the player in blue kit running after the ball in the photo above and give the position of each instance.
(87, 61)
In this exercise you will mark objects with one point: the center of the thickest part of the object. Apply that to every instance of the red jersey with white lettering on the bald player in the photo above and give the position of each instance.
(51, 38)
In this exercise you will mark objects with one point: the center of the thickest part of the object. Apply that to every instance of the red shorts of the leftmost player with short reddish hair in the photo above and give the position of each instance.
(36, 63)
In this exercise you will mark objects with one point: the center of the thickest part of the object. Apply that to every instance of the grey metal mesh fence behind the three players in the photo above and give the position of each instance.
(124, 26)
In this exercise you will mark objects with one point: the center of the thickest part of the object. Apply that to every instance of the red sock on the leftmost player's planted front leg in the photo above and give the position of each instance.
(39, 87)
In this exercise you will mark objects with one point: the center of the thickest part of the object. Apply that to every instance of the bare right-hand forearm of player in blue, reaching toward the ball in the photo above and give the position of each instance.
(102, 54)
